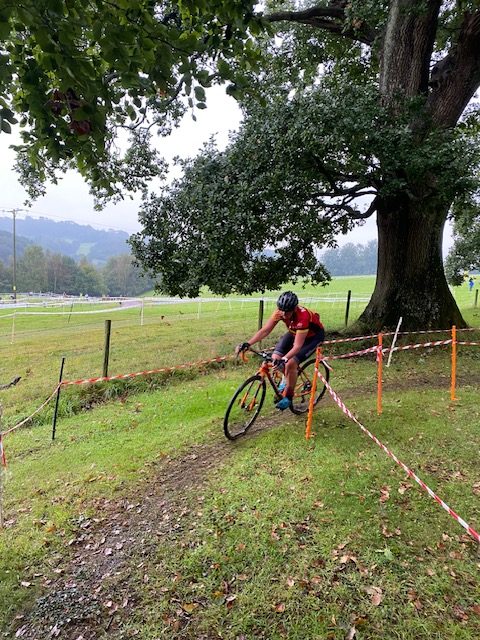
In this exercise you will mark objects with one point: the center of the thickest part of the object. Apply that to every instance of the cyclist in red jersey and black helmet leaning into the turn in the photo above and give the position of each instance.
(305, 333)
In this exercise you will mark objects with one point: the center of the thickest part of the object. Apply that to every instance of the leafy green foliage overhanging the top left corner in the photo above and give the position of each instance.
(75, 74)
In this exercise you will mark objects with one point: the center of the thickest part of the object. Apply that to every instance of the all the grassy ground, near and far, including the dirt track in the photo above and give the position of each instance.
(270, 537)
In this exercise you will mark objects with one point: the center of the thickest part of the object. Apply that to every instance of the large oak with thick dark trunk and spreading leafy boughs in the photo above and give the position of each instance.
(360, 108)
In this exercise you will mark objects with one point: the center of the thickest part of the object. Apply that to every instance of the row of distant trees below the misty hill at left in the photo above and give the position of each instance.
(41, 271)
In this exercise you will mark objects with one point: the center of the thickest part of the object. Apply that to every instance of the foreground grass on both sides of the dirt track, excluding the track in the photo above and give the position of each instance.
(292, 578)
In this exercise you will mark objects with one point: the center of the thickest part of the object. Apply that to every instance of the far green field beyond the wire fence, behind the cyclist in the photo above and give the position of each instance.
(170, 335)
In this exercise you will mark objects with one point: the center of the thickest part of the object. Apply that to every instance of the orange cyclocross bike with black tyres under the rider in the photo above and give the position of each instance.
(247, 401)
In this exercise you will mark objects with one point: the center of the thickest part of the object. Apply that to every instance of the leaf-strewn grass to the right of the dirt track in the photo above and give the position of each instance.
(311, 541)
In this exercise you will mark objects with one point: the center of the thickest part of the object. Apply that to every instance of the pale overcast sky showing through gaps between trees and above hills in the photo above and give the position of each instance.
(70, 199)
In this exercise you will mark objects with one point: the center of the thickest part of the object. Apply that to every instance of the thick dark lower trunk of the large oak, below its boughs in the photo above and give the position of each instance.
(410, 278)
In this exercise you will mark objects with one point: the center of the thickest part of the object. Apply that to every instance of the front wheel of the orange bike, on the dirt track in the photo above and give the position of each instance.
(244, 407)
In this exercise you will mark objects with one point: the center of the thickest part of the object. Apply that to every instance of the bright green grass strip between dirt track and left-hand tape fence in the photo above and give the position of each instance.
(48, 485)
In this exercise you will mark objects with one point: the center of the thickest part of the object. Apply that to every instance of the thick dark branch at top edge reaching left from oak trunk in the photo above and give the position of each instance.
(331, 19)
